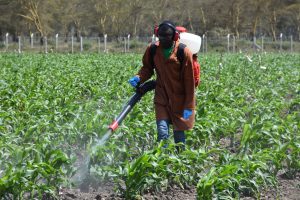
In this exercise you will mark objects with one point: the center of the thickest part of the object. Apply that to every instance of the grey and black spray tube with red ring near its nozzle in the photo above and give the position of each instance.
(141, 90)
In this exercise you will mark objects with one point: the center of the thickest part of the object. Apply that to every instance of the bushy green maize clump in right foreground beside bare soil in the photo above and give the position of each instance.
(233, 178)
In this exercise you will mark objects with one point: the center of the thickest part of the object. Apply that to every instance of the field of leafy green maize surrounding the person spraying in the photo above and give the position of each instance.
(53, 107)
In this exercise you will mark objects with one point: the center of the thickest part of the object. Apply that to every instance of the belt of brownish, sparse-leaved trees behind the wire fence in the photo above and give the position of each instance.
(139, 16)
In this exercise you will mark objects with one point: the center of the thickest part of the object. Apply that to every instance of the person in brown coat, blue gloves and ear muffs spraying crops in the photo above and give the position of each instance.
(174, 97)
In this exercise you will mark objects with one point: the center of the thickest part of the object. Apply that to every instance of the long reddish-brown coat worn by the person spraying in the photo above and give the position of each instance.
(175, 89)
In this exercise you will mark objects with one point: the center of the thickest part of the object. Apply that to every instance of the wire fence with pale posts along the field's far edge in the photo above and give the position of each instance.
(105, 44)
